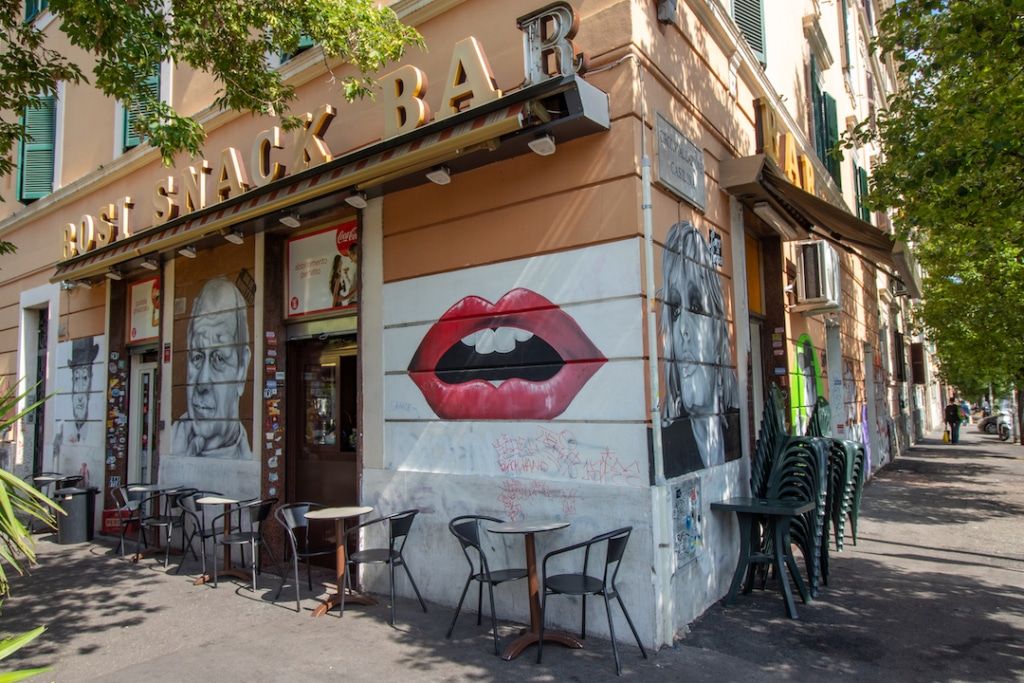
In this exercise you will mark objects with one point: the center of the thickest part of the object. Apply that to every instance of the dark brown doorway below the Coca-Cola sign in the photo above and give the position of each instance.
(323, 421)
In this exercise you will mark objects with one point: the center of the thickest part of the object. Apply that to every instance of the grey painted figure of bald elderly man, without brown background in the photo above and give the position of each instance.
(218, 361)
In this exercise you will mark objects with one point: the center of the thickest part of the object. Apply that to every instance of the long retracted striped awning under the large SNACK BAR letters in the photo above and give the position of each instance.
(568, 107)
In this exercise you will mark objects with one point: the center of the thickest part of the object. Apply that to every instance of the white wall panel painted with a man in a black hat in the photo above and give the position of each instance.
(78, 443)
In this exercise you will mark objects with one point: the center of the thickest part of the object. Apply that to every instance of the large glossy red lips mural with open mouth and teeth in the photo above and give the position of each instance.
(520, 359)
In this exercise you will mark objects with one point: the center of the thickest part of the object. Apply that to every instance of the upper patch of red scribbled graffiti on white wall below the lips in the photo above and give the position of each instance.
(558, 453)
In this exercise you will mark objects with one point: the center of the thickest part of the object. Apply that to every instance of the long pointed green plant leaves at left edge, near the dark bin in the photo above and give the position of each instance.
(19, 501)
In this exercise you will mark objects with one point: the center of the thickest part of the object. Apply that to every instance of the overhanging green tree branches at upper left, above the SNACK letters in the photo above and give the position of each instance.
(230, 40)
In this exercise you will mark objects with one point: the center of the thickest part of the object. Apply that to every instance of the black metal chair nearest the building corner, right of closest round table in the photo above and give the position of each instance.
(583, 585)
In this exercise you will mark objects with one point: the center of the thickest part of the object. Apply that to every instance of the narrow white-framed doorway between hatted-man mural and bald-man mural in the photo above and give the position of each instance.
(142, 418)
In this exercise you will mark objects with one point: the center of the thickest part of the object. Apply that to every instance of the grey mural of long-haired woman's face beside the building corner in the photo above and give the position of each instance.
(700, 413)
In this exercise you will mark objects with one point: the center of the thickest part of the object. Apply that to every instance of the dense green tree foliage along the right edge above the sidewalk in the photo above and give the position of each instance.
(954, 173)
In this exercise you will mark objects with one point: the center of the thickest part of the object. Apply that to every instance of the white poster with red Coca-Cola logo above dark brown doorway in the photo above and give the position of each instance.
(323, 271)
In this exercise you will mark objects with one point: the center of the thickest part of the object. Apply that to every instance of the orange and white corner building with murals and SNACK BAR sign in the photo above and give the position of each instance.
(549, 272)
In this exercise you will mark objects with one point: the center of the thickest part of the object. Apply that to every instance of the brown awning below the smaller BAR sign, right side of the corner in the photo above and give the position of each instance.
(756, 181)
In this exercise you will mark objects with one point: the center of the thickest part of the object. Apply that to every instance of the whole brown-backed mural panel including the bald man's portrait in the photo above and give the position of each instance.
(215, 405)
